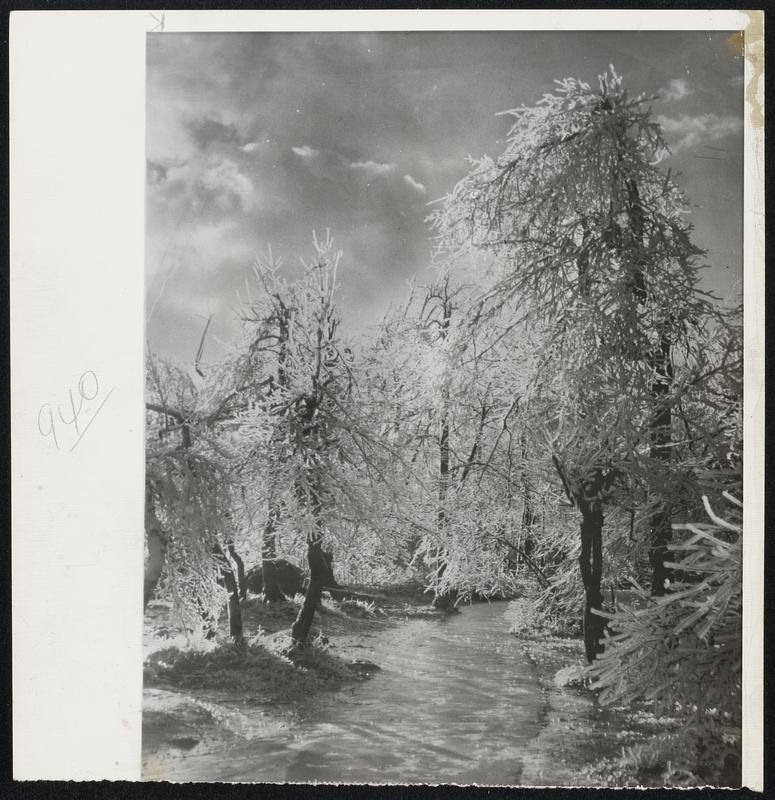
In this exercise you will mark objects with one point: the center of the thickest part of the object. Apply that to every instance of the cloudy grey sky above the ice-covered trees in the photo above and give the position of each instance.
(257, 139)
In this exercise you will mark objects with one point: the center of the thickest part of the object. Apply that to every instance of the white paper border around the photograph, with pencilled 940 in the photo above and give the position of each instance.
(77, 93)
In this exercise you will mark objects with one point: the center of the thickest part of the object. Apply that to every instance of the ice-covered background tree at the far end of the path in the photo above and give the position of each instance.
(457, 410)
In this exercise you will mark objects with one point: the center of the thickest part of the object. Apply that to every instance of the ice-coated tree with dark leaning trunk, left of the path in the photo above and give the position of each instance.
(313, 451)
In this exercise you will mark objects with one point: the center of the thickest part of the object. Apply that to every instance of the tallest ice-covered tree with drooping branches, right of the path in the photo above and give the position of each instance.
(590, 253)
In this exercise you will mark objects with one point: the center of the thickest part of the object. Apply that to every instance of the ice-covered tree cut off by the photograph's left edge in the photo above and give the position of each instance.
(189, 496)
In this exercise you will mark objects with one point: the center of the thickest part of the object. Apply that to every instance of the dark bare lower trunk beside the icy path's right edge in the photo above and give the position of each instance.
(591, 564)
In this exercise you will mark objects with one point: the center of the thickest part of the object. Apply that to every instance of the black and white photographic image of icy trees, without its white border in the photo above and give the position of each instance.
(444, 410)
